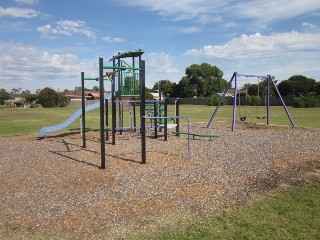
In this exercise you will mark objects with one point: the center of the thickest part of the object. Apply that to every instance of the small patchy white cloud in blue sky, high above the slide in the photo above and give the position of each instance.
(67, 28)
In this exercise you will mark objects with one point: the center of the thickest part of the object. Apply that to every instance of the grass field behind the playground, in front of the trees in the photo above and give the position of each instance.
(17, 121)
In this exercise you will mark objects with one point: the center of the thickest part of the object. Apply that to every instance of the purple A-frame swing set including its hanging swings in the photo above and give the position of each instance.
(269, 80)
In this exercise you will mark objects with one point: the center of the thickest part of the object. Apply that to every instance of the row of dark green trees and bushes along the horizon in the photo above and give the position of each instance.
(201, 80)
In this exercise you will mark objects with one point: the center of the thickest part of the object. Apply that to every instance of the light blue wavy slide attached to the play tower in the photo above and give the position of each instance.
(45, 130)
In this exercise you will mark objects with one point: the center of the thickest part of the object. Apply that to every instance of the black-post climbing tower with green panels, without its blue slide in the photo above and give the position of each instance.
(127, 86)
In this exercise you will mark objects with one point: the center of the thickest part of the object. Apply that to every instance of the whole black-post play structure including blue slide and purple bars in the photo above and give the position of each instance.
(127, 87)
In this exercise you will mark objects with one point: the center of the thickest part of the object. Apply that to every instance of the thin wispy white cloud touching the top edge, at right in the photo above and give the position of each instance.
(208, 11)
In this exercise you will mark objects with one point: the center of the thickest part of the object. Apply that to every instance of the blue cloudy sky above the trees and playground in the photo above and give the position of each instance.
(47, 43)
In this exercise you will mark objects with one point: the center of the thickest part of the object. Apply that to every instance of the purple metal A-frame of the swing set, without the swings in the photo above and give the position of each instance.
(269, 80)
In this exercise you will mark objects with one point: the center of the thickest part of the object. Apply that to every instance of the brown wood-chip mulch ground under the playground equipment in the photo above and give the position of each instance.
(55, 188)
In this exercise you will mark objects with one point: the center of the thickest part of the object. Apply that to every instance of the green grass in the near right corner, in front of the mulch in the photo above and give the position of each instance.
(290, 213)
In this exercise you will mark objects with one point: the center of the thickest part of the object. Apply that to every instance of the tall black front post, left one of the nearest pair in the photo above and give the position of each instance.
(102, 138)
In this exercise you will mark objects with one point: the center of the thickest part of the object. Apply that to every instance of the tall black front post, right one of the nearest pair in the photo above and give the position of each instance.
(143, 112)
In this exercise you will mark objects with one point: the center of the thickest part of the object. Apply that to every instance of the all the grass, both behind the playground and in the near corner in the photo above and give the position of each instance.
(287, 213)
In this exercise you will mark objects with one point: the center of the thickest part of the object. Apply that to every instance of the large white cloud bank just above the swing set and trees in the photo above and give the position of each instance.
(282, 54)
